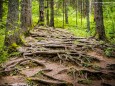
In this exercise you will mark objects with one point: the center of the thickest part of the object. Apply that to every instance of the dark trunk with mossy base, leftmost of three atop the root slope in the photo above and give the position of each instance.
(41, 13)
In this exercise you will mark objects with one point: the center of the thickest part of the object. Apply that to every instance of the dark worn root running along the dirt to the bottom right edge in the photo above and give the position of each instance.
(94, 75)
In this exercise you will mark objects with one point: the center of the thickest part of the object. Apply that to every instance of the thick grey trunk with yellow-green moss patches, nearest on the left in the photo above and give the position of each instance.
(12, 27)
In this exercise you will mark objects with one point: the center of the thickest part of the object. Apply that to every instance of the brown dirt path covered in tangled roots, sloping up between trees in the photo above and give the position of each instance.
(55, 57)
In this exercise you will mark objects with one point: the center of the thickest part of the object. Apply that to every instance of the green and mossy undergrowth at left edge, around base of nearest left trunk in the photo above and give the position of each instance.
(6, 52)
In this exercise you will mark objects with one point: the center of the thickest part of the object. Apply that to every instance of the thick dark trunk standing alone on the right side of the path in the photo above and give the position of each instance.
(98, 17)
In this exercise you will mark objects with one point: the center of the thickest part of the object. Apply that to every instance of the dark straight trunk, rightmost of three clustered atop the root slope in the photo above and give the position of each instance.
(52, 13)
